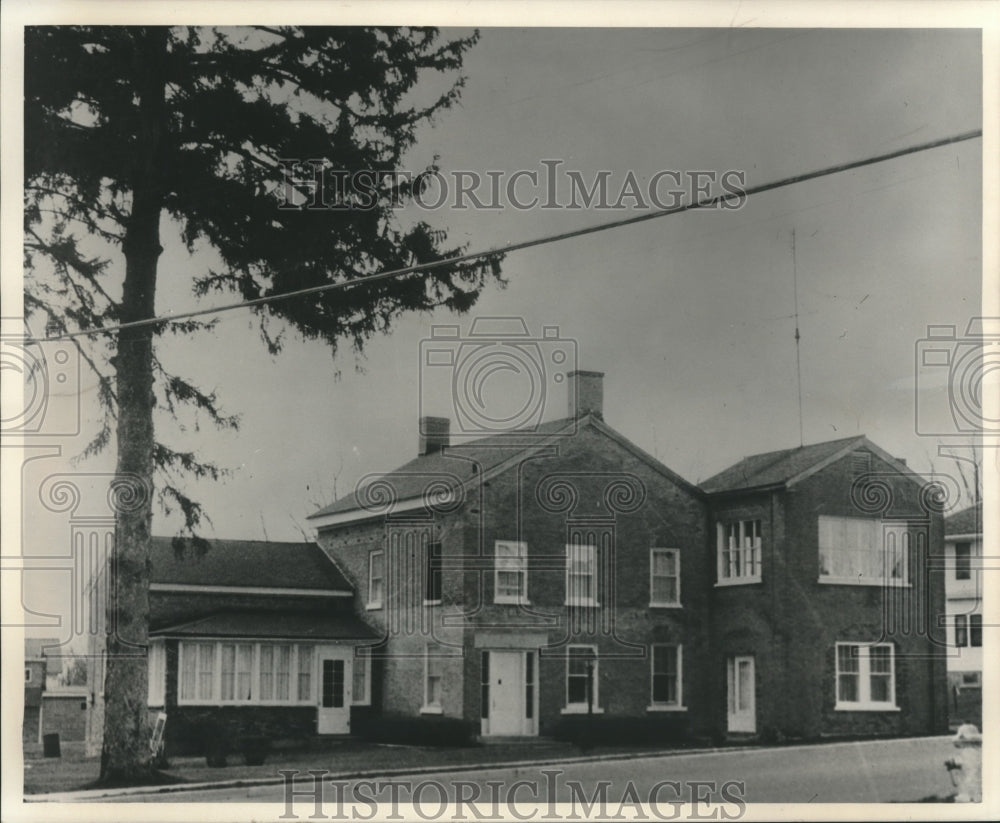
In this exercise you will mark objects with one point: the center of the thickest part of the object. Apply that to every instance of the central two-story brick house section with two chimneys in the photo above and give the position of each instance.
(528, 577)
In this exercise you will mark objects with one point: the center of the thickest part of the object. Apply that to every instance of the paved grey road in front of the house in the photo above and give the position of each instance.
(872, 771)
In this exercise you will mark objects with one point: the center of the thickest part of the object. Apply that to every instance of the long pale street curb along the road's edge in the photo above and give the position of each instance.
(249, 782)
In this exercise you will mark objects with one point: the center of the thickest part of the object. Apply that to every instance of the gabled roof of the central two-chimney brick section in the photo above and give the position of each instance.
(461, 465)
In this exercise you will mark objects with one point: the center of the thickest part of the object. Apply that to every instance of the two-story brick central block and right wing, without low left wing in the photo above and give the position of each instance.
(527, 577)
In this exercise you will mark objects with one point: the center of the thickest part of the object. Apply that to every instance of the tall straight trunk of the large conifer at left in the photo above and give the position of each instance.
(125, 757)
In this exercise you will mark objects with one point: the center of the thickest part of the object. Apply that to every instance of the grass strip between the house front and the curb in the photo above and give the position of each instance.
(73, 771)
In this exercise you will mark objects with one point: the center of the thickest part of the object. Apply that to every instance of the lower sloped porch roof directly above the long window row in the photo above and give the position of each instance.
(290, 625)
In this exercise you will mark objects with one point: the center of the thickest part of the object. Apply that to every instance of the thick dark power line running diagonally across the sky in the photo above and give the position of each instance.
(490, 255)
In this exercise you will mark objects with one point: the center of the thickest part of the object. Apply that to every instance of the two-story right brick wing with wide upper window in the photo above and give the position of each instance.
(823, 598)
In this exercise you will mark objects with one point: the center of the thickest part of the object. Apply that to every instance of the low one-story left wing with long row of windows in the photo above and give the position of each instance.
(257, 636)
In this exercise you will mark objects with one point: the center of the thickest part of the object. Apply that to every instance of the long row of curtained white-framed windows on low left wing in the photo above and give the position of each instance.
(222, 672)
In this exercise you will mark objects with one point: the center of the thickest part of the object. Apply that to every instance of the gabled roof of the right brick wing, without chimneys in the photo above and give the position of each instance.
(788, 466)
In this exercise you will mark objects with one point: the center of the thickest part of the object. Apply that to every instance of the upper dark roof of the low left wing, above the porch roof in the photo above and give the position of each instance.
(246, 563)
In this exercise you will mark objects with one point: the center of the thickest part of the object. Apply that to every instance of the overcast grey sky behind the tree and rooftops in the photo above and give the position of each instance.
(690, 317)
